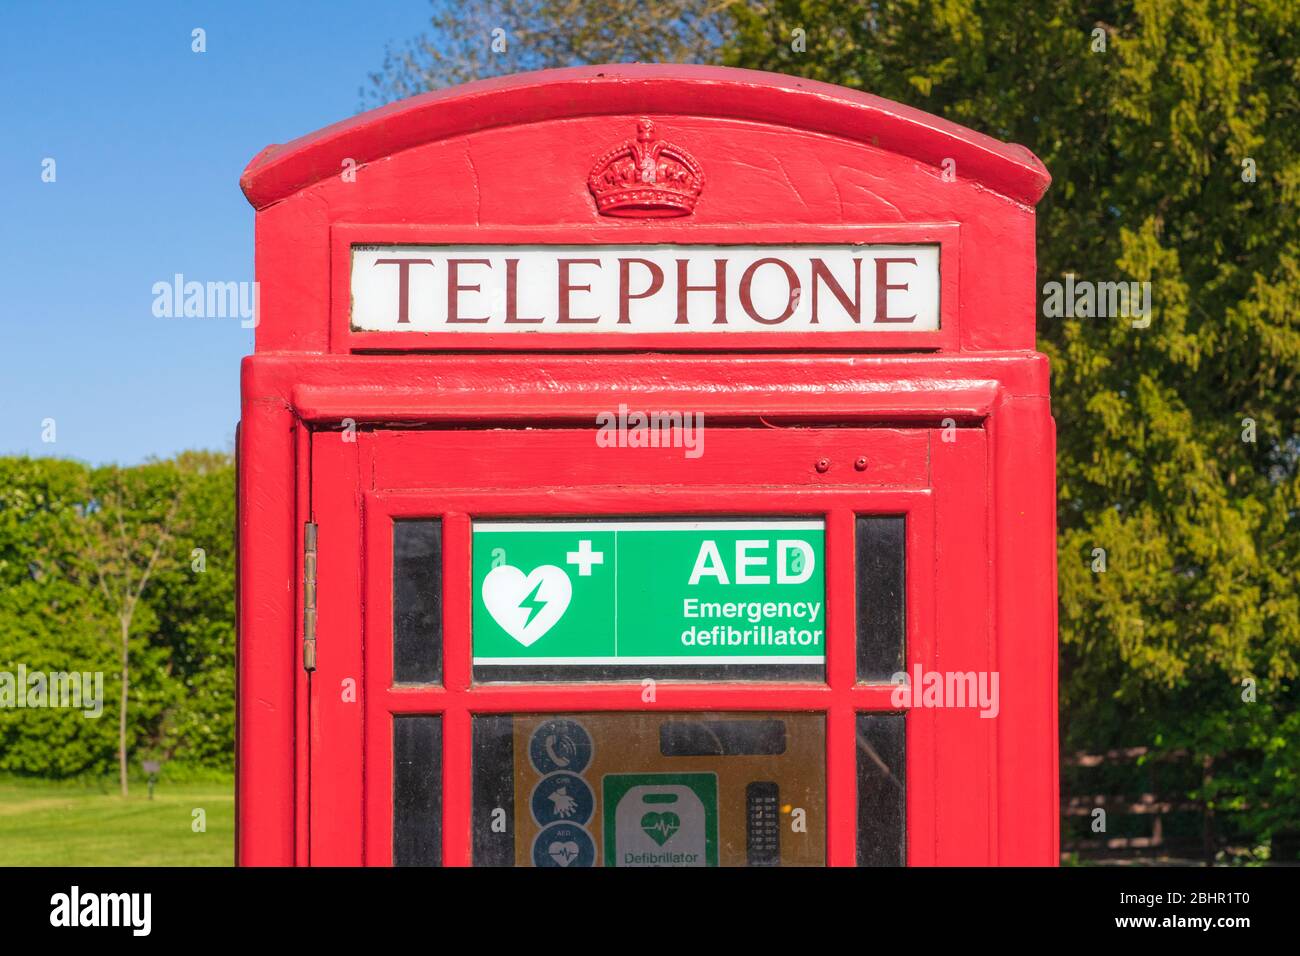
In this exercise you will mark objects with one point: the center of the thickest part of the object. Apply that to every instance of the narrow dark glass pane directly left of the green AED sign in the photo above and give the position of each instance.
(418, 602)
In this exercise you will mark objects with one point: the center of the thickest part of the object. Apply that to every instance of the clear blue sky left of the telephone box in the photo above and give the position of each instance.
(149, 141)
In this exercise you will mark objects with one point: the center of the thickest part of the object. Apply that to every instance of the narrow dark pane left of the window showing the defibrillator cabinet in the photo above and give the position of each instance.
(417, 791)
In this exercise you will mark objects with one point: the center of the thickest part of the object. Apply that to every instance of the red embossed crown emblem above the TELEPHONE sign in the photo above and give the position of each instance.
(647, 179)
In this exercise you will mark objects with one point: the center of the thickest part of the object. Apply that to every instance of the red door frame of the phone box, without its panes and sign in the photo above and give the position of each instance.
(363, 483)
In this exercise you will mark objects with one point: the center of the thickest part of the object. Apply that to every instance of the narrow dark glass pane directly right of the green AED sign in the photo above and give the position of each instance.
(882, 596)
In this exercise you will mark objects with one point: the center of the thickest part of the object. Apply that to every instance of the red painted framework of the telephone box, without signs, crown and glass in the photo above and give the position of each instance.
(506, 162)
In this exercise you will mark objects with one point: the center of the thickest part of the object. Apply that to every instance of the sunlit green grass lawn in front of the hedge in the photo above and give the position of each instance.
(45, 824)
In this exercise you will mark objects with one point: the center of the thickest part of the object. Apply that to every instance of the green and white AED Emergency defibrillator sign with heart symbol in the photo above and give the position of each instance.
(636, 592)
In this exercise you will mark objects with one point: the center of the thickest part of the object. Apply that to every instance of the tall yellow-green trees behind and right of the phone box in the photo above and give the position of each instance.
(1171, 129)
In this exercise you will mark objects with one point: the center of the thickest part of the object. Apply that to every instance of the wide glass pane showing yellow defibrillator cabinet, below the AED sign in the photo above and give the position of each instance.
(649, 790)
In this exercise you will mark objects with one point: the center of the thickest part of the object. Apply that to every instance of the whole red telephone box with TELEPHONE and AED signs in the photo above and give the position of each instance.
(647, 466)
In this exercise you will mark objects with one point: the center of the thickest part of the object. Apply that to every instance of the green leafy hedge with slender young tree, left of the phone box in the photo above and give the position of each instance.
(92, 555)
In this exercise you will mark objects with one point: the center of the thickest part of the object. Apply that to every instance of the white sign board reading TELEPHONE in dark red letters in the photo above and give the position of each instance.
(642, 289)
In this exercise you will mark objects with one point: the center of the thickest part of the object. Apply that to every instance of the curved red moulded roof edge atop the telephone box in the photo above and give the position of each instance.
(279, 172)
